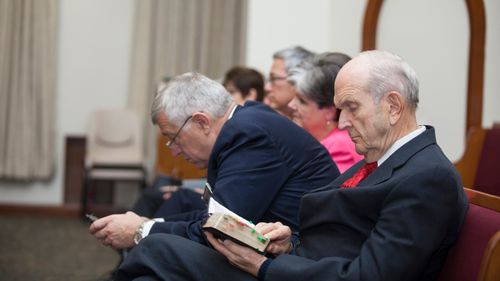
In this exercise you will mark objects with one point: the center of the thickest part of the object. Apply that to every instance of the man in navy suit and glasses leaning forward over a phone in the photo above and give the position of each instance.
(259, 163)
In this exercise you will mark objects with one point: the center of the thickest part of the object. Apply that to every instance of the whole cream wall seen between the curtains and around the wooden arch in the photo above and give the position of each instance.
(95, 42)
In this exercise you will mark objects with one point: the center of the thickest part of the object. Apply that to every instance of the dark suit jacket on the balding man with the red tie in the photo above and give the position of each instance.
(398, 224)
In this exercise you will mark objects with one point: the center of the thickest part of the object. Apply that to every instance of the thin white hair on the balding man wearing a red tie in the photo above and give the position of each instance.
(389, 72)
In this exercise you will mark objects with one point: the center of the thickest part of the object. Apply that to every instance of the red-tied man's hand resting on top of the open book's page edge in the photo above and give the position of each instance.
(279, 236)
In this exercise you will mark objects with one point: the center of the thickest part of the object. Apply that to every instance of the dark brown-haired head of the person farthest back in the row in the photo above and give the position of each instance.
(244, 84)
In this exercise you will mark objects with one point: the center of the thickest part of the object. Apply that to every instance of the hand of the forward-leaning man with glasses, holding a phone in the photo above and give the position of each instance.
(117, 231)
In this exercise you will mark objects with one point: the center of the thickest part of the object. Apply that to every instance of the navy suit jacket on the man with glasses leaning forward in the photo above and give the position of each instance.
(260, 166)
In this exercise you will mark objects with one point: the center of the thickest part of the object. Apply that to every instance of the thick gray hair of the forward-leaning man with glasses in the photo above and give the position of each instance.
(189, 93)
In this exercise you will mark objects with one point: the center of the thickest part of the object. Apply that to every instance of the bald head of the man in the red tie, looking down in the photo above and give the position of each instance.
(378, 95)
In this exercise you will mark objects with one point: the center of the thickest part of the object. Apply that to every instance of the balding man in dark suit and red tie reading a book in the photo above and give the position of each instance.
(391, 217)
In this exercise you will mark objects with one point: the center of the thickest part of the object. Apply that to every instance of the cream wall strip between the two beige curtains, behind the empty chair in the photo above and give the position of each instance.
(93, 63)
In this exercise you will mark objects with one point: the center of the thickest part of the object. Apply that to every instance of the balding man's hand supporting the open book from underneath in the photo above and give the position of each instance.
(240, 256)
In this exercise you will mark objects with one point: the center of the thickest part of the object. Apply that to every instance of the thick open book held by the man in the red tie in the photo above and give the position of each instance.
(226, 224)
